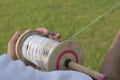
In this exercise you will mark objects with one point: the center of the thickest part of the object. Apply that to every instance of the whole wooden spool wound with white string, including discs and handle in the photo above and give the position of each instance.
(48, 54)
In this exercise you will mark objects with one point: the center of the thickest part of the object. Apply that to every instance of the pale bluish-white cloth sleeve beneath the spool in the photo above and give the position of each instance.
(16, 70)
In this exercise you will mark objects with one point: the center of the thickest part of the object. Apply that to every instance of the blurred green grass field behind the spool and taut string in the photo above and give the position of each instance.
(66, 17)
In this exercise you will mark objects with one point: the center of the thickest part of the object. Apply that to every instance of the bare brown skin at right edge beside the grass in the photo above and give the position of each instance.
(111, 64)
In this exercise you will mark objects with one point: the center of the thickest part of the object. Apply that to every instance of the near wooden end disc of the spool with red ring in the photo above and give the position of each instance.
(78, 57)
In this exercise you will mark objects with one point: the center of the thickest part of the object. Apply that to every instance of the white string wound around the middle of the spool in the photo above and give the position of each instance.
(36, 48)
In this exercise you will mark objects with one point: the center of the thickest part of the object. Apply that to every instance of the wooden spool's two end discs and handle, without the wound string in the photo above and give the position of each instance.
(67, 55)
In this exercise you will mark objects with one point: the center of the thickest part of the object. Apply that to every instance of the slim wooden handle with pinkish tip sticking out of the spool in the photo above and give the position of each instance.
(94, 74)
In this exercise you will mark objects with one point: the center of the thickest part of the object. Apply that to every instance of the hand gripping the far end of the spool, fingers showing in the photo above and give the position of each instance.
(13, 40)
